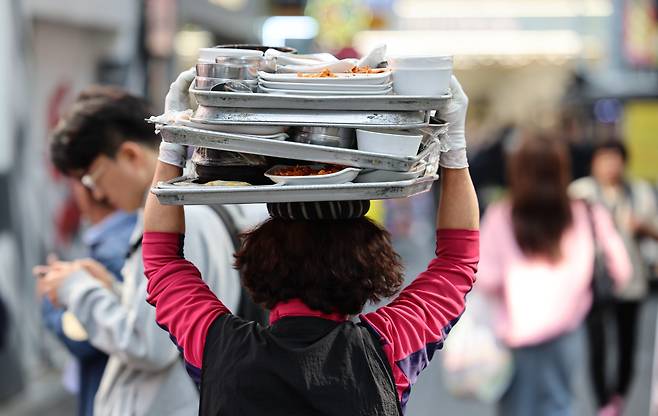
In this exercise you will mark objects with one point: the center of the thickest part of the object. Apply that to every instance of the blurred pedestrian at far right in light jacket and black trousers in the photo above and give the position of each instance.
(633, 207)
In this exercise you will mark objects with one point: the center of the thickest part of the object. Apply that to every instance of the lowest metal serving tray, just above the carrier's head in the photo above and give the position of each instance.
(183, 192)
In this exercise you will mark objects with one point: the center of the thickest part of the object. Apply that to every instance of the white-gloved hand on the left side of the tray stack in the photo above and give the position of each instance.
(177, 106)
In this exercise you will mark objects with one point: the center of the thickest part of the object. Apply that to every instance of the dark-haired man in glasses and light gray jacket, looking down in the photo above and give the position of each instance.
(105, 143)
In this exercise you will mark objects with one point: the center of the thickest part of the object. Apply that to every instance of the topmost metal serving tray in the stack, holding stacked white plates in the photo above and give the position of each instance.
(318, 102)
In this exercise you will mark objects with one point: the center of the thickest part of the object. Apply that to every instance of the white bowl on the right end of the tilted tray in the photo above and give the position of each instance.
(388, 142)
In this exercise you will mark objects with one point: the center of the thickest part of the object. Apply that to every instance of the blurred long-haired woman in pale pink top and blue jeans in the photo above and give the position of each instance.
(536, 267)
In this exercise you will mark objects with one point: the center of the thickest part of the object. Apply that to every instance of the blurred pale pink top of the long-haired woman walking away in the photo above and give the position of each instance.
(536, 300)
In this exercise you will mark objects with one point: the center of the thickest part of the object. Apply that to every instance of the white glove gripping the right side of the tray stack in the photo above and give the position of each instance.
(454, 142)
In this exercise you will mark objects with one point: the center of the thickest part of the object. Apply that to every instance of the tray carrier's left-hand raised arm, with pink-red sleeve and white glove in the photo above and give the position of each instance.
(184, 305)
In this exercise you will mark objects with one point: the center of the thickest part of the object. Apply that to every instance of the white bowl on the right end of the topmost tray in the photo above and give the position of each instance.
(422, 81)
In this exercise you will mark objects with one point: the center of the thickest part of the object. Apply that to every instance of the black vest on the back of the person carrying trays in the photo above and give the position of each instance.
(300, 366)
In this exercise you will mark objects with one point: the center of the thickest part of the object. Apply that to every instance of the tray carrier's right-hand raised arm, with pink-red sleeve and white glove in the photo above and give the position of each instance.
(417, 322)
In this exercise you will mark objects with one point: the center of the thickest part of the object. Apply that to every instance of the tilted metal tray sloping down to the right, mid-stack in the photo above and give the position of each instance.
(284, 149)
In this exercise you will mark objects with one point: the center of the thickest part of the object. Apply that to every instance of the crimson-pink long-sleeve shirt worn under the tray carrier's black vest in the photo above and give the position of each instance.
(410, 328)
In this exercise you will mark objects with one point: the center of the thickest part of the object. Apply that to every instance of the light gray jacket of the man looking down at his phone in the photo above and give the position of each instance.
(144, 374)
